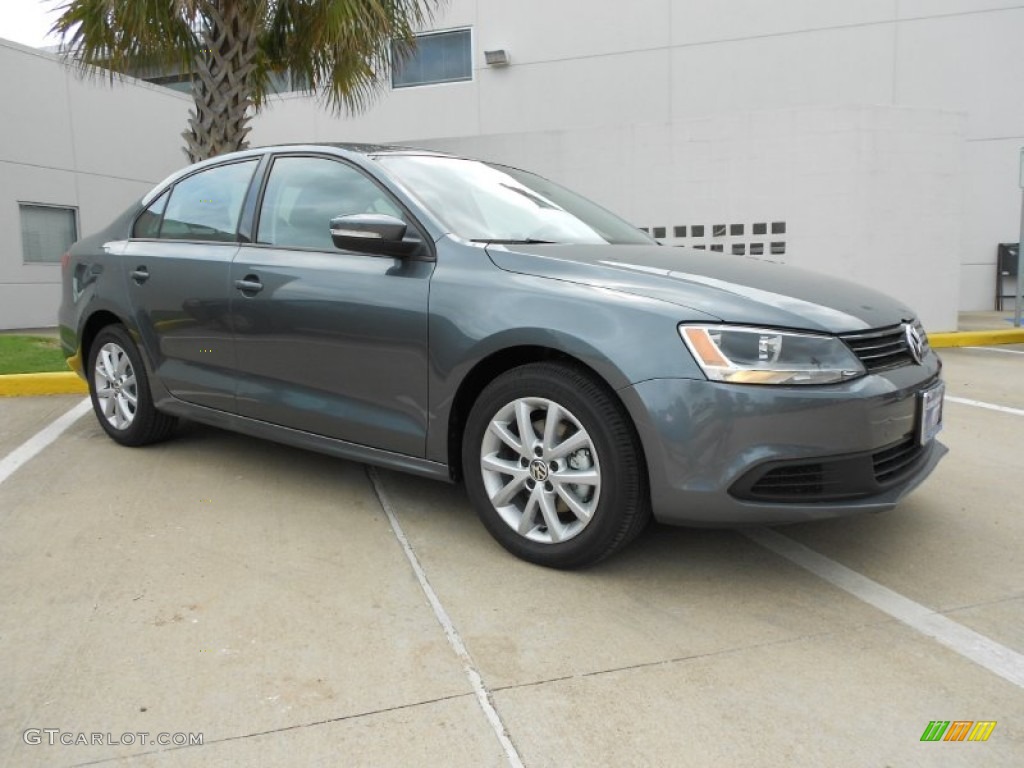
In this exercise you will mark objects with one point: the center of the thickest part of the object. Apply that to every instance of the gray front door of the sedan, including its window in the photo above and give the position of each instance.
(330, 342)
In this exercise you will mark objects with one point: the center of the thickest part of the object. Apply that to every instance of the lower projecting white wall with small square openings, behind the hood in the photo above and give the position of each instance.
(832, 176)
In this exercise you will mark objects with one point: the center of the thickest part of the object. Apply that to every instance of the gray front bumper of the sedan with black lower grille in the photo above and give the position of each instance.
(715, 450)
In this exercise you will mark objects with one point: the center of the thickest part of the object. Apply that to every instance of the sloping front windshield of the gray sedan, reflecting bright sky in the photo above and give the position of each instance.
(492, 203)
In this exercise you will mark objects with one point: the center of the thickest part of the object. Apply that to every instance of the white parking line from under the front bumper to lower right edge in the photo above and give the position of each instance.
(996, 658)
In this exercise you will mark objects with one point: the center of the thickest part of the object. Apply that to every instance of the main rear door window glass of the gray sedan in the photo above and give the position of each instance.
(206, 205)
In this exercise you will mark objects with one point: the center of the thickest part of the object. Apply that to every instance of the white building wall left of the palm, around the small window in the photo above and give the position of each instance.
(78, 144)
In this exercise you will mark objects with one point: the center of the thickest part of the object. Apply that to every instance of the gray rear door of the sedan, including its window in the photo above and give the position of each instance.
(178, 265)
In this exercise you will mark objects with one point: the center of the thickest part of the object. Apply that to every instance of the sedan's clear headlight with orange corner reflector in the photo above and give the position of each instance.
(761, 356)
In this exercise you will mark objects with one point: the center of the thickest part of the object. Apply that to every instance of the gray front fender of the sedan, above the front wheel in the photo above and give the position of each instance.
(478, 311)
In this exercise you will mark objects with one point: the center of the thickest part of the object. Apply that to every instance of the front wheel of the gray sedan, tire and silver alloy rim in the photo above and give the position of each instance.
(523, 491)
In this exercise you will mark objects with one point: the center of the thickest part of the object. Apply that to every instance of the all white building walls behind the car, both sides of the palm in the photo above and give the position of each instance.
(625, 82)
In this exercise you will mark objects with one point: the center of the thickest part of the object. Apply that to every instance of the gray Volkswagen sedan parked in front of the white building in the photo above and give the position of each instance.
(474, 322)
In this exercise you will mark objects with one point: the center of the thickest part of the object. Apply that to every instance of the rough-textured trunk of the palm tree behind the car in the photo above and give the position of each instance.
(223, 90)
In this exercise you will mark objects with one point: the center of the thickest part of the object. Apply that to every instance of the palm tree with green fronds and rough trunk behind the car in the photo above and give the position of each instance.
(336, 49)
